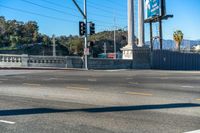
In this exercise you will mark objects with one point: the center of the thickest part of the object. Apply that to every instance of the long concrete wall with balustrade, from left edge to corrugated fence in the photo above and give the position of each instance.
(141, 60)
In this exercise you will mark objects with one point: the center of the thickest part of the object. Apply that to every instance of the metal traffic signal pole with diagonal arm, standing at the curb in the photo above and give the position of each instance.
(84, 14)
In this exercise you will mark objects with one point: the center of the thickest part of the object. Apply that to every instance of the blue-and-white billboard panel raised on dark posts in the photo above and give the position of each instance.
(154, 8)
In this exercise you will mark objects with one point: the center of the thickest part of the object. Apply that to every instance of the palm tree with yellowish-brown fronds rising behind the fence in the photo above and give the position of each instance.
(178, 37)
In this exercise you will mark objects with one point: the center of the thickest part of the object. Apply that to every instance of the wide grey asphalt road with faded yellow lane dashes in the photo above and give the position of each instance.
(68, 101)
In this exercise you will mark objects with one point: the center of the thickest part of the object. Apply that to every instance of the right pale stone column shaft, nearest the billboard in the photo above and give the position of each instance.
(141, 23)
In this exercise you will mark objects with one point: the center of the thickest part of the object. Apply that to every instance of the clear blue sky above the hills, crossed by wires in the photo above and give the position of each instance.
(61, 17)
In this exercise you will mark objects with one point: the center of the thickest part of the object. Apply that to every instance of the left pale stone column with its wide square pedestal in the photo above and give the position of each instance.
(128, 49)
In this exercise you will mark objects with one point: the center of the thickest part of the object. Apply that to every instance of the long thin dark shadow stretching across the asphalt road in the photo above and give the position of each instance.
(14, 112)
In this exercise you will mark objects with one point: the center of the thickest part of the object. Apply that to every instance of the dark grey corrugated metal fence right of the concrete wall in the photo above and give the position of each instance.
(172, 60)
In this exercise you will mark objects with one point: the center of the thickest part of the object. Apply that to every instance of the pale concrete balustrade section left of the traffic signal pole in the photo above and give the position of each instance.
(16, 61)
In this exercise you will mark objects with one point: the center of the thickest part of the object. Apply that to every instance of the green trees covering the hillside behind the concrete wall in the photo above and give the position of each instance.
(19, 35)
